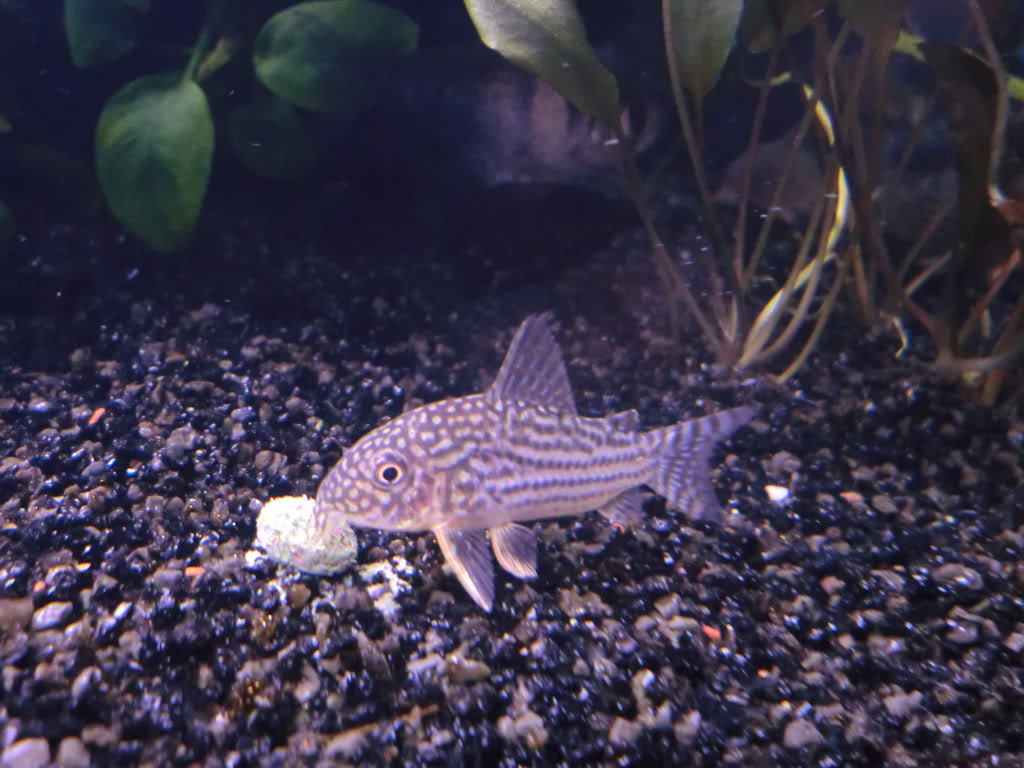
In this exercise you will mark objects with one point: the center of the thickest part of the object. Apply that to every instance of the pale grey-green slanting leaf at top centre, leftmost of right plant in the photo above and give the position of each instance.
(547, 37)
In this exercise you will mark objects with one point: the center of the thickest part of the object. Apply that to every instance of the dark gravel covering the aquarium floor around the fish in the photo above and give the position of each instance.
(875, 617)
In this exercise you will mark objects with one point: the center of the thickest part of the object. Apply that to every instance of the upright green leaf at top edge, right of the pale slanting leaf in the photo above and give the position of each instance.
(703, 32)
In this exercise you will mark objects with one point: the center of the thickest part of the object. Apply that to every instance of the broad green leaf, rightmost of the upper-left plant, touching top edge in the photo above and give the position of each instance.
(328, 56)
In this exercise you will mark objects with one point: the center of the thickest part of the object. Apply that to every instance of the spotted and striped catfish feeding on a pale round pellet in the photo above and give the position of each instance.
(519, 452)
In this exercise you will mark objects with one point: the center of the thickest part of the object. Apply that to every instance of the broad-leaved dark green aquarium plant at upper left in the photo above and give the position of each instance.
(156, 137)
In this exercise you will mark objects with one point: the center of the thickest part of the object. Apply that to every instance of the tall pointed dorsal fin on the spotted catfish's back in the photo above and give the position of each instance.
(534, 371)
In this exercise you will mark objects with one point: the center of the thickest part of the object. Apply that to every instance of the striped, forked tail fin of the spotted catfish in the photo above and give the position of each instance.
(681, 474)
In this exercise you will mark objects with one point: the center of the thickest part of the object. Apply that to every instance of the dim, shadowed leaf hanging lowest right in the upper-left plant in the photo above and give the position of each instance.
(271, 141)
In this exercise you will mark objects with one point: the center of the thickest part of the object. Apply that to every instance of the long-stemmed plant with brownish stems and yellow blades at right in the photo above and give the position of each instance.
(843, 244)
